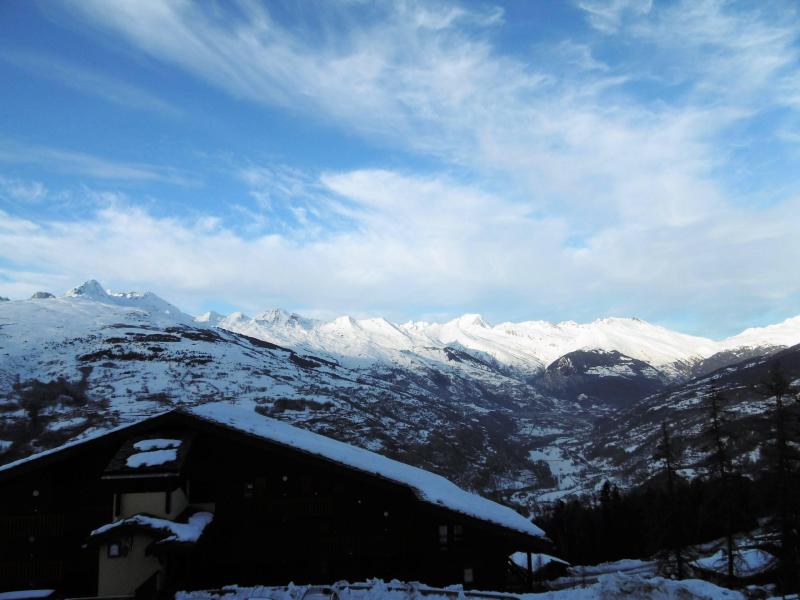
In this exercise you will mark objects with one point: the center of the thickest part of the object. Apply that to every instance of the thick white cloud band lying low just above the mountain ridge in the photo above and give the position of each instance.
(428, 243)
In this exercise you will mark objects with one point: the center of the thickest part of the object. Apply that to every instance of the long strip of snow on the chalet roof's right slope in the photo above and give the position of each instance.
(428, 487)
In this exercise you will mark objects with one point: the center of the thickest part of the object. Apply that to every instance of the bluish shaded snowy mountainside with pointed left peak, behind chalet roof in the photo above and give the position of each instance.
(135, 354)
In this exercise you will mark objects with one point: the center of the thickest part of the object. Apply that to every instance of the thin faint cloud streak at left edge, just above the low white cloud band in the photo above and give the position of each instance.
(80, 163)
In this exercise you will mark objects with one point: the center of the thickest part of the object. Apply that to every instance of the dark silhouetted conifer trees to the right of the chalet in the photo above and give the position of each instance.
(669, 513)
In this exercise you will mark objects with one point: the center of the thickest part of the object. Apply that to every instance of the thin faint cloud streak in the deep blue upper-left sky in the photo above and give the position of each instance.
(90, 82)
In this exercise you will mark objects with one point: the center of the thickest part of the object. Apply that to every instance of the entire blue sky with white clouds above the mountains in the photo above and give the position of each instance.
(556, 160)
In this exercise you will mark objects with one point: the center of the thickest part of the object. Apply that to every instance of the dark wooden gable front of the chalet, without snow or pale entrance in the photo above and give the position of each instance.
(280, 515)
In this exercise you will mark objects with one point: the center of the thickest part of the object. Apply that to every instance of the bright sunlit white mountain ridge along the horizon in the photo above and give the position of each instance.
(528, 347)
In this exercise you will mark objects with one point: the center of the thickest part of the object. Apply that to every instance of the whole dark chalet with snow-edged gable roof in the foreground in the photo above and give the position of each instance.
(216, 495)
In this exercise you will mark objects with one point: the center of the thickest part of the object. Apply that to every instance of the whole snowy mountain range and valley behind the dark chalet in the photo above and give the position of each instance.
(465, 399)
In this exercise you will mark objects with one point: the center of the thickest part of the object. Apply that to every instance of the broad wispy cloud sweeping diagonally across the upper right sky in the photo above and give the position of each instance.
(428, 77)
